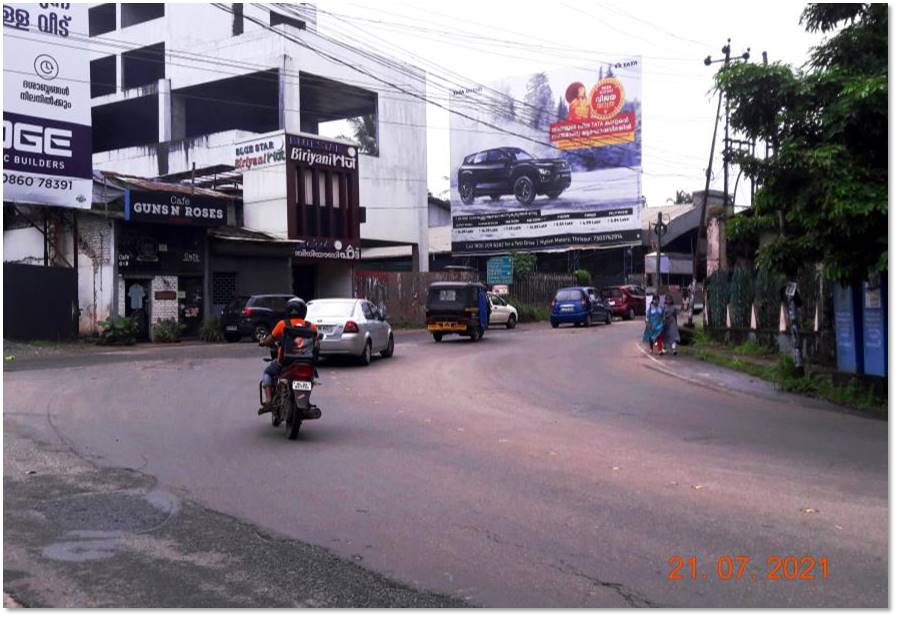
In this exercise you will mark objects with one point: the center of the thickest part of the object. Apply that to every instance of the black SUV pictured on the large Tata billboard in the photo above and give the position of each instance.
(511, 171)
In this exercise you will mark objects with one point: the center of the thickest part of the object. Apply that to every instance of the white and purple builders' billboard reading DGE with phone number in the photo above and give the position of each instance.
(46, 105)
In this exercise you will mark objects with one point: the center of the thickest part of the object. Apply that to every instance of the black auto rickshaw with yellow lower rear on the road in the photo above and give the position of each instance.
(457, 308)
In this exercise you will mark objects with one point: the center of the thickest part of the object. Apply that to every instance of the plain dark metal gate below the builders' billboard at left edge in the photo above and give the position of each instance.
(39, 302)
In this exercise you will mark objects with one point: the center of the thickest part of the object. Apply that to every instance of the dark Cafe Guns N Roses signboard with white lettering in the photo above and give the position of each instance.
(174, 208)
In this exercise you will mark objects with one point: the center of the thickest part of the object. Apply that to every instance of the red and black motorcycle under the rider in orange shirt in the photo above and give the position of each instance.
(291, 403)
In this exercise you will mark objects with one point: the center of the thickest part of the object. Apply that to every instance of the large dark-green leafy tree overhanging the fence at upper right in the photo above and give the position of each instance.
(825, 186)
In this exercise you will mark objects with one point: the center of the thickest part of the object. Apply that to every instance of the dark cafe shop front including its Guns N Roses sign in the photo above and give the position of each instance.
(162, 256)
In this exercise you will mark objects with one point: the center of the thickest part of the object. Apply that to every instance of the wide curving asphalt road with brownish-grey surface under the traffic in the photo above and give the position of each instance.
(538, 467)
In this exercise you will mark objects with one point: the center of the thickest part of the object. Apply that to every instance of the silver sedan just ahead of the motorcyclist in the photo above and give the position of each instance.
(352, 327)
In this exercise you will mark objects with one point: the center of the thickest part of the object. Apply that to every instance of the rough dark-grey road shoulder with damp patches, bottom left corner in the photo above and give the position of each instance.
(79, 536)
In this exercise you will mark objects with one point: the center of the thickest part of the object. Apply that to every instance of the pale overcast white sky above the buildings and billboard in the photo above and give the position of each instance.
(482, 41)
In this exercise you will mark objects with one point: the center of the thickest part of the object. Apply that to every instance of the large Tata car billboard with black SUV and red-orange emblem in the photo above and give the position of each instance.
(548, 161)
